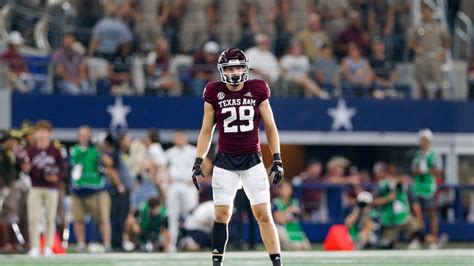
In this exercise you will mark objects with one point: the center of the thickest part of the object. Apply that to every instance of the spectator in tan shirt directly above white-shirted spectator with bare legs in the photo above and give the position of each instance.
(313, 38)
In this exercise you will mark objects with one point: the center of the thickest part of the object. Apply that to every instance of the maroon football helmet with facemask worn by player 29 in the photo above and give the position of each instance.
(233, 57)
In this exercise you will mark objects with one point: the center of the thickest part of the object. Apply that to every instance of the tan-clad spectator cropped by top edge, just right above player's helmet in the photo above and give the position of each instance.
(262, 19)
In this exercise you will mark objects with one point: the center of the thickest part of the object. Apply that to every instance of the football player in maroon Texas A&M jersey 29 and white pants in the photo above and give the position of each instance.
(236, 105)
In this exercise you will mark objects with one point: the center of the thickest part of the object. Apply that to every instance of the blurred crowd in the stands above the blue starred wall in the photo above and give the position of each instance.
(302, 48)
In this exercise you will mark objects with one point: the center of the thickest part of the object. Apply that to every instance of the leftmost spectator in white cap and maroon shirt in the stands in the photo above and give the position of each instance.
(18, 75)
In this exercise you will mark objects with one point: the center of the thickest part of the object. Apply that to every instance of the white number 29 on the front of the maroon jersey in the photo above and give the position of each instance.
(245, 113)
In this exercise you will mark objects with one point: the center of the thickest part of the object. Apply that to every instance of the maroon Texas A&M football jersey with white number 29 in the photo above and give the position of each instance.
(237, 114)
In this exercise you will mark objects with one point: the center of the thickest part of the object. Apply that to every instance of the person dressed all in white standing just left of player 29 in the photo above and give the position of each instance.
(181, 196)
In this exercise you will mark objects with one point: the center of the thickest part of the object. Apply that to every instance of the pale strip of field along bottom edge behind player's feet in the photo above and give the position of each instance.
(451, 257)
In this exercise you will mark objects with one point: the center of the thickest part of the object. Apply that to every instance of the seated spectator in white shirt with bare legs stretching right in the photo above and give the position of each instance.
(295, 69)
